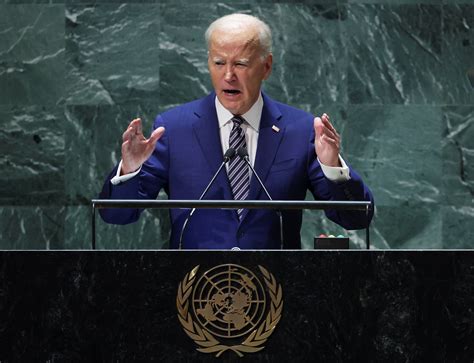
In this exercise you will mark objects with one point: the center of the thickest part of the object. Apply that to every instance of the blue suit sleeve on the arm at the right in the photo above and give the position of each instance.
(353, 189)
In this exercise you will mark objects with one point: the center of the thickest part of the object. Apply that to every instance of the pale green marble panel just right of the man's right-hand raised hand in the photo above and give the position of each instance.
(397, 150)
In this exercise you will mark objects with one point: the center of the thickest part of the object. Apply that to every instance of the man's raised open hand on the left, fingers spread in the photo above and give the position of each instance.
(136, 149)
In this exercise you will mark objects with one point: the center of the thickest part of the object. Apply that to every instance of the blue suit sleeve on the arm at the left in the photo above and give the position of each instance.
(152, 177)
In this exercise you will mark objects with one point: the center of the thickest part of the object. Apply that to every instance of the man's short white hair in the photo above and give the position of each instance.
(236, 21)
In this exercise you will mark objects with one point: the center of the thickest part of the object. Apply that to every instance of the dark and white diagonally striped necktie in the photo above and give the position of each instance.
(239, 176)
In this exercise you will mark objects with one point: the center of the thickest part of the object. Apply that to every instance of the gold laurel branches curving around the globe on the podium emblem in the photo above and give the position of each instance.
(208, 343)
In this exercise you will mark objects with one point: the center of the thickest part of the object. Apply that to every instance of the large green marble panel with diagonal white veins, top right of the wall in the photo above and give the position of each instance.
(394, 54)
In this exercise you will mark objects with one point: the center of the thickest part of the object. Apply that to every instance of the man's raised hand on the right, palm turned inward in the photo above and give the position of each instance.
(328, 141)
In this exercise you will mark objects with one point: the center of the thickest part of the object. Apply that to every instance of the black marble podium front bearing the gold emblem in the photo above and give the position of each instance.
(344, 306)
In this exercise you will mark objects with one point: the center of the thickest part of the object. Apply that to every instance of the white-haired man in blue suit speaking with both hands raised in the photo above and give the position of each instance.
(291, 151)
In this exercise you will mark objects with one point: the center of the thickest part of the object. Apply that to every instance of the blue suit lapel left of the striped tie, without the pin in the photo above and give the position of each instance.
(206, 131)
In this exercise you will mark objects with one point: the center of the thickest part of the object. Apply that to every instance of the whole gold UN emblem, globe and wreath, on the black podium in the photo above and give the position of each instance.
(229, 308)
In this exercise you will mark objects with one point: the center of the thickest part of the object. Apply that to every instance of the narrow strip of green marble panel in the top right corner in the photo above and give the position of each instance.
(458, 54)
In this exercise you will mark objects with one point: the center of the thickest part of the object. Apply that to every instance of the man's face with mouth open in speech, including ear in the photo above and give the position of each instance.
(237, 69)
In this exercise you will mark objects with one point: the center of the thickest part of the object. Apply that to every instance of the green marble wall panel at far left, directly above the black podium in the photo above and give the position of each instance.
(31, 228)
